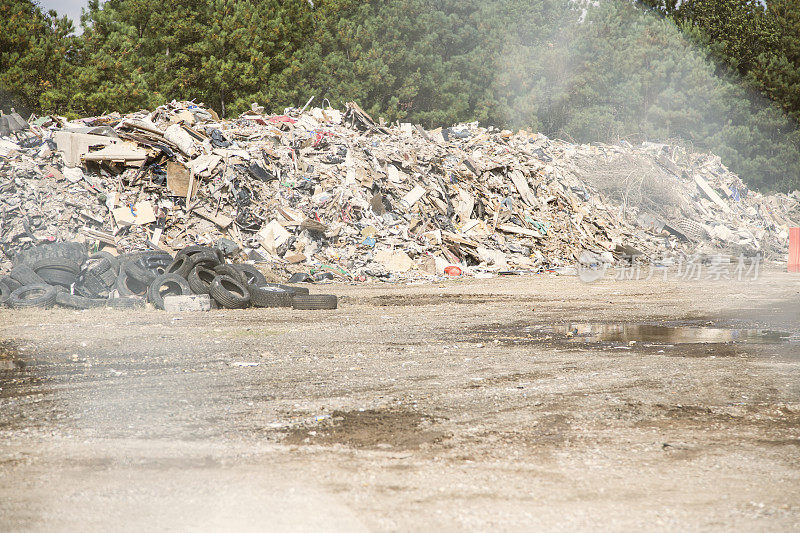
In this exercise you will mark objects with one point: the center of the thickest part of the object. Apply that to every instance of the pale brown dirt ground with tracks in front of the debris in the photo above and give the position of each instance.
(411, 407)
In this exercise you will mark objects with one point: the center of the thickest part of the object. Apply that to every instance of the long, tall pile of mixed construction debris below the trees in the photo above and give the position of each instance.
(336, 194)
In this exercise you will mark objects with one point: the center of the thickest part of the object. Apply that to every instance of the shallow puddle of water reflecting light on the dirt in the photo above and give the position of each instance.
(625, 333)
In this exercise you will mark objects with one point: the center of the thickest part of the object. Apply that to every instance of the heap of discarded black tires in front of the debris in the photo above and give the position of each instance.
(64, 274)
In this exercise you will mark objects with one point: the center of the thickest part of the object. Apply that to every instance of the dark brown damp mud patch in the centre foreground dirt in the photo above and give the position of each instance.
(371, 429)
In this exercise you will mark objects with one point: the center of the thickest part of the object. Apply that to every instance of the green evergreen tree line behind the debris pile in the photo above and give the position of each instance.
(718, 75)
